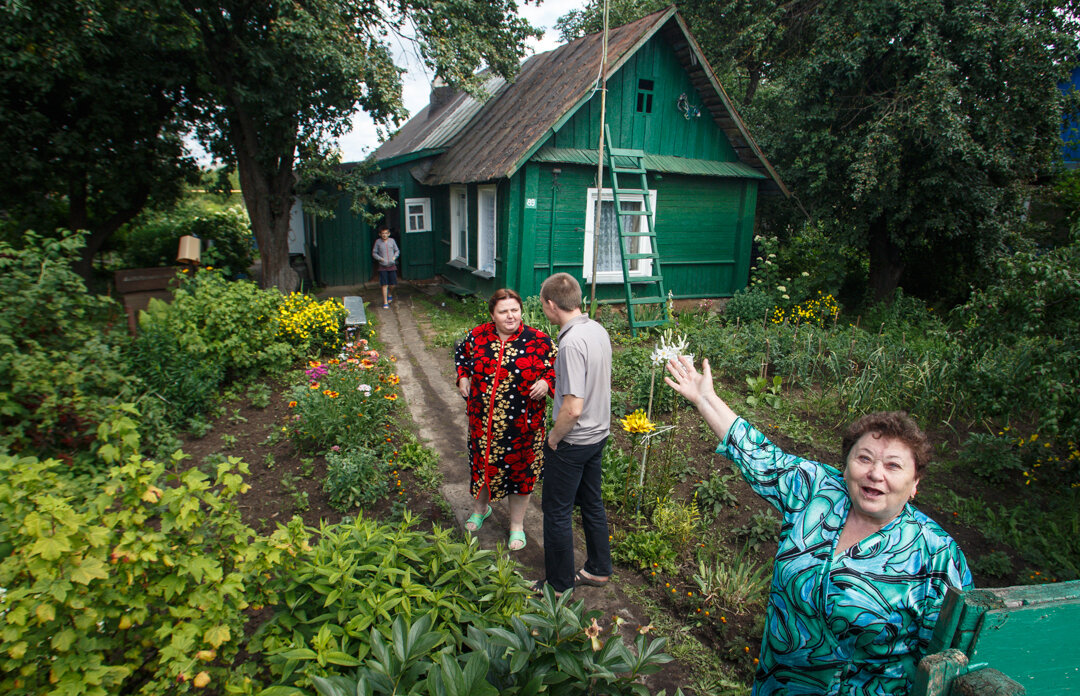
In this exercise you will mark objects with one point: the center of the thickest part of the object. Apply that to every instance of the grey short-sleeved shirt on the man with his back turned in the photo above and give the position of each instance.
(584, 370)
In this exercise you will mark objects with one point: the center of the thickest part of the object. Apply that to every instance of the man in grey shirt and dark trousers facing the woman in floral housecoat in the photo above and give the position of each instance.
(575, 447)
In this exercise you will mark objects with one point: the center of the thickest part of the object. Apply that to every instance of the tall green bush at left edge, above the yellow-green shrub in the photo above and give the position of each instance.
(62, 359)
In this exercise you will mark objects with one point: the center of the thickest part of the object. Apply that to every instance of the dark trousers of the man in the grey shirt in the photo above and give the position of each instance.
(572, 476)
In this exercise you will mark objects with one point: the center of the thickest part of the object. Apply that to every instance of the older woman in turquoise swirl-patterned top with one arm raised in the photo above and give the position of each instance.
(860, 574)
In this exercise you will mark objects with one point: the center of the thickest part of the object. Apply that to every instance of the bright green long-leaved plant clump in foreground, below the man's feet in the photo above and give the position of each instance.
(361, 577)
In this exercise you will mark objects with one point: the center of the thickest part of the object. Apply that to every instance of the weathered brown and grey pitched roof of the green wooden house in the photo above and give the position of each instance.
(491, 141)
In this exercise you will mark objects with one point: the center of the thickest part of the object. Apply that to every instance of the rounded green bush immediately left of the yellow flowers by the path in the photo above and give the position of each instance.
(234, 324)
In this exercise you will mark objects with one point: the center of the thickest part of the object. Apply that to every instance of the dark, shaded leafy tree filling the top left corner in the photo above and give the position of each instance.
(89, 127)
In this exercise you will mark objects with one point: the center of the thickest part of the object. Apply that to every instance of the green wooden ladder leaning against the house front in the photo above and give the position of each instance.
(652, 291)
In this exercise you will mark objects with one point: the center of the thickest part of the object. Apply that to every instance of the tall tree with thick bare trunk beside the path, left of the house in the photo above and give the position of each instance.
(280, 82)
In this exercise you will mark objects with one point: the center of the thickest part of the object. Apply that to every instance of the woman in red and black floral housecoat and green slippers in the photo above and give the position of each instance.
(506, 370)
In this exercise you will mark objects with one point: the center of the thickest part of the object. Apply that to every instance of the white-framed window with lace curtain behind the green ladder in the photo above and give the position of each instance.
(610, 262)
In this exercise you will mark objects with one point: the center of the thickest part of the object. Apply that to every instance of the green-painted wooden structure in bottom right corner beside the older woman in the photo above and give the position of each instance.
(1006, 643)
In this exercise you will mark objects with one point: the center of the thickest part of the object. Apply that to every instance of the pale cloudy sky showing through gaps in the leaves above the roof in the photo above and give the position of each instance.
(363, 139)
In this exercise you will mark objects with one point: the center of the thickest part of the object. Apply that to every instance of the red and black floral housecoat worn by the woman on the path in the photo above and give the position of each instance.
(506, 429)
